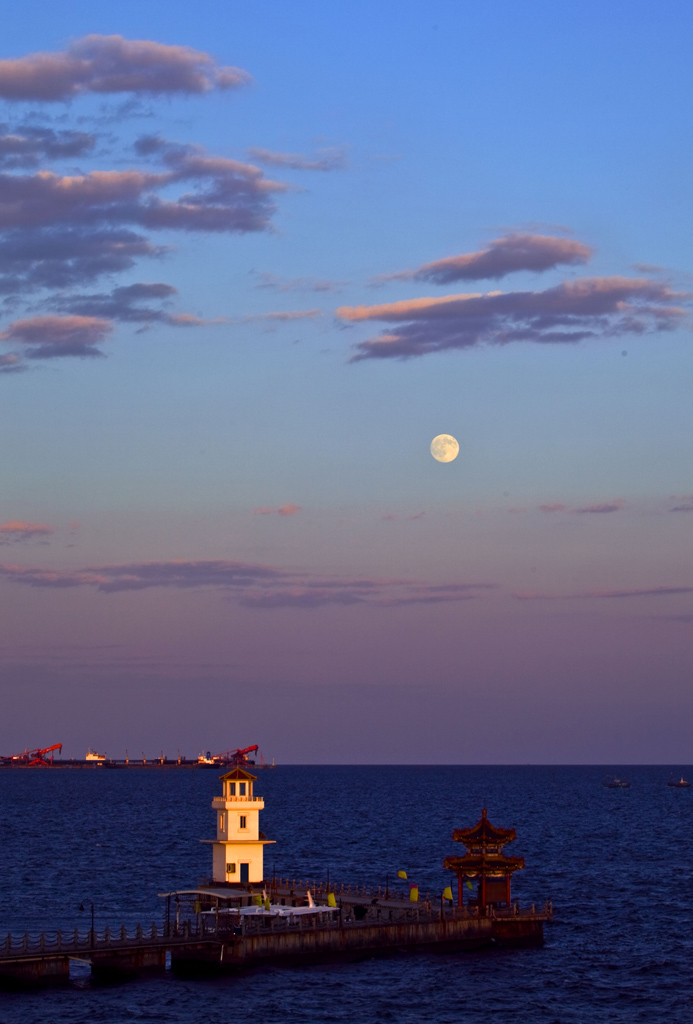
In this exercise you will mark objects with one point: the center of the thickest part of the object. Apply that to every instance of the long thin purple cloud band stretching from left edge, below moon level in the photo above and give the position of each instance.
(253, 586)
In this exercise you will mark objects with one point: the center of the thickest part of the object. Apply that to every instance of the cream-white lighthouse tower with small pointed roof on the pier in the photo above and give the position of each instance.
(238, 850)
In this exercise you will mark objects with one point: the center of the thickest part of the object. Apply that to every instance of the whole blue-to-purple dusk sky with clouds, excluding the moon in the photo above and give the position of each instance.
(254, 257)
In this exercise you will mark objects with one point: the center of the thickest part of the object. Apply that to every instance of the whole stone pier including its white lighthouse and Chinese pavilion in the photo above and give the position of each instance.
(242, 918)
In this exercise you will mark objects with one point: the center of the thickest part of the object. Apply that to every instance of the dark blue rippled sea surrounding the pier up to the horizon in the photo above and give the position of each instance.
(617, 864)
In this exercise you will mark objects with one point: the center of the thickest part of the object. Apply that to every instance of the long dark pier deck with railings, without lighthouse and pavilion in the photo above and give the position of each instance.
(227, 943)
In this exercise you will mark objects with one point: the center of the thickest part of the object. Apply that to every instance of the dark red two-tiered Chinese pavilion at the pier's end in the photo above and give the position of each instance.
(486, 862)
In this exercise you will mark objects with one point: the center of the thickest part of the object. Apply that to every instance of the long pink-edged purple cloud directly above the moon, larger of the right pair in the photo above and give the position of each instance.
(574, 312)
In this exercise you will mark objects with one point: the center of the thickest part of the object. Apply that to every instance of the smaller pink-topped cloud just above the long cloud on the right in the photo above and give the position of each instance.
(509, 254)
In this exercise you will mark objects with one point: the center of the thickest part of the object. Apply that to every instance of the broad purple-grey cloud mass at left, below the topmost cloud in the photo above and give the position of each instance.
(60, 232)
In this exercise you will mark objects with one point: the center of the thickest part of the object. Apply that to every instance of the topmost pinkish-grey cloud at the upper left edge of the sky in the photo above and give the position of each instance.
(112, 65)
